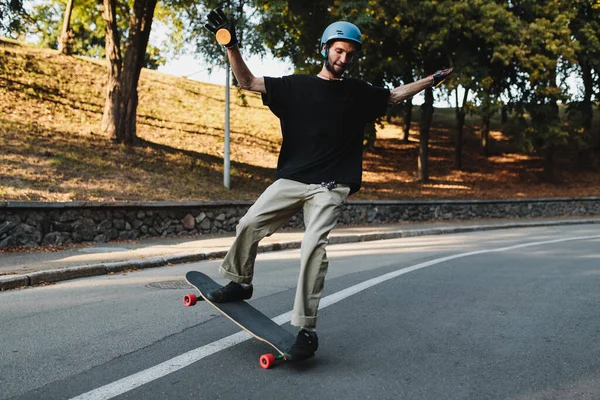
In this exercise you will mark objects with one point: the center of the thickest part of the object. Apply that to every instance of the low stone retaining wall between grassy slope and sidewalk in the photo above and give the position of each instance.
(34, 224)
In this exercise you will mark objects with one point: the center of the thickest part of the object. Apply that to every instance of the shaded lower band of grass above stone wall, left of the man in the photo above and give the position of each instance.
(51, 164)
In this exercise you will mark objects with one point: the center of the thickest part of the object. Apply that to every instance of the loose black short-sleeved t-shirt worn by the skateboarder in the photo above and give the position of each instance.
(323, 122)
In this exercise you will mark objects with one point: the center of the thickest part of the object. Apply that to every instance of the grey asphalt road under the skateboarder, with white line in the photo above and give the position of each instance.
(508, 314)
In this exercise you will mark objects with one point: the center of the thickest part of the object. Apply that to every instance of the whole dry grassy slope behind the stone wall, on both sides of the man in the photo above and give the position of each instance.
(51, 147)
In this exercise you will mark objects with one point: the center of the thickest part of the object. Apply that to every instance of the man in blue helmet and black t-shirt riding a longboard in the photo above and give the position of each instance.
(320, 162)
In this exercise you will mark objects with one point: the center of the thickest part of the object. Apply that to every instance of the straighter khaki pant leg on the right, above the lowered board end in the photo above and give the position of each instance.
(321, 212)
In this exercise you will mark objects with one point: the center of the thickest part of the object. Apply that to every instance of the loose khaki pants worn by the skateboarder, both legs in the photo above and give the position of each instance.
(282, 200)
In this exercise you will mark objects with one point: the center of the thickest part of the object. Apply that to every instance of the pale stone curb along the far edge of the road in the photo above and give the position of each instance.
(9, 282)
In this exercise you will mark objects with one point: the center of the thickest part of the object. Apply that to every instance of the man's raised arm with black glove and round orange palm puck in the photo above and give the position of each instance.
(224, 31)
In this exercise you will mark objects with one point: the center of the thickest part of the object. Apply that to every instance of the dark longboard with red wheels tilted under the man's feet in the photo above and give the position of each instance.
(246, 317)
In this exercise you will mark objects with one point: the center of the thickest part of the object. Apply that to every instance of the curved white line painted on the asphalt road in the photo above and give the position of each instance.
(158, 371)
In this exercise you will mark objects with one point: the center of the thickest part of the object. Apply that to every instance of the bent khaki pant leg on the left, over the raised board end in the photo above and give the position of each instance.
(278, 203)
